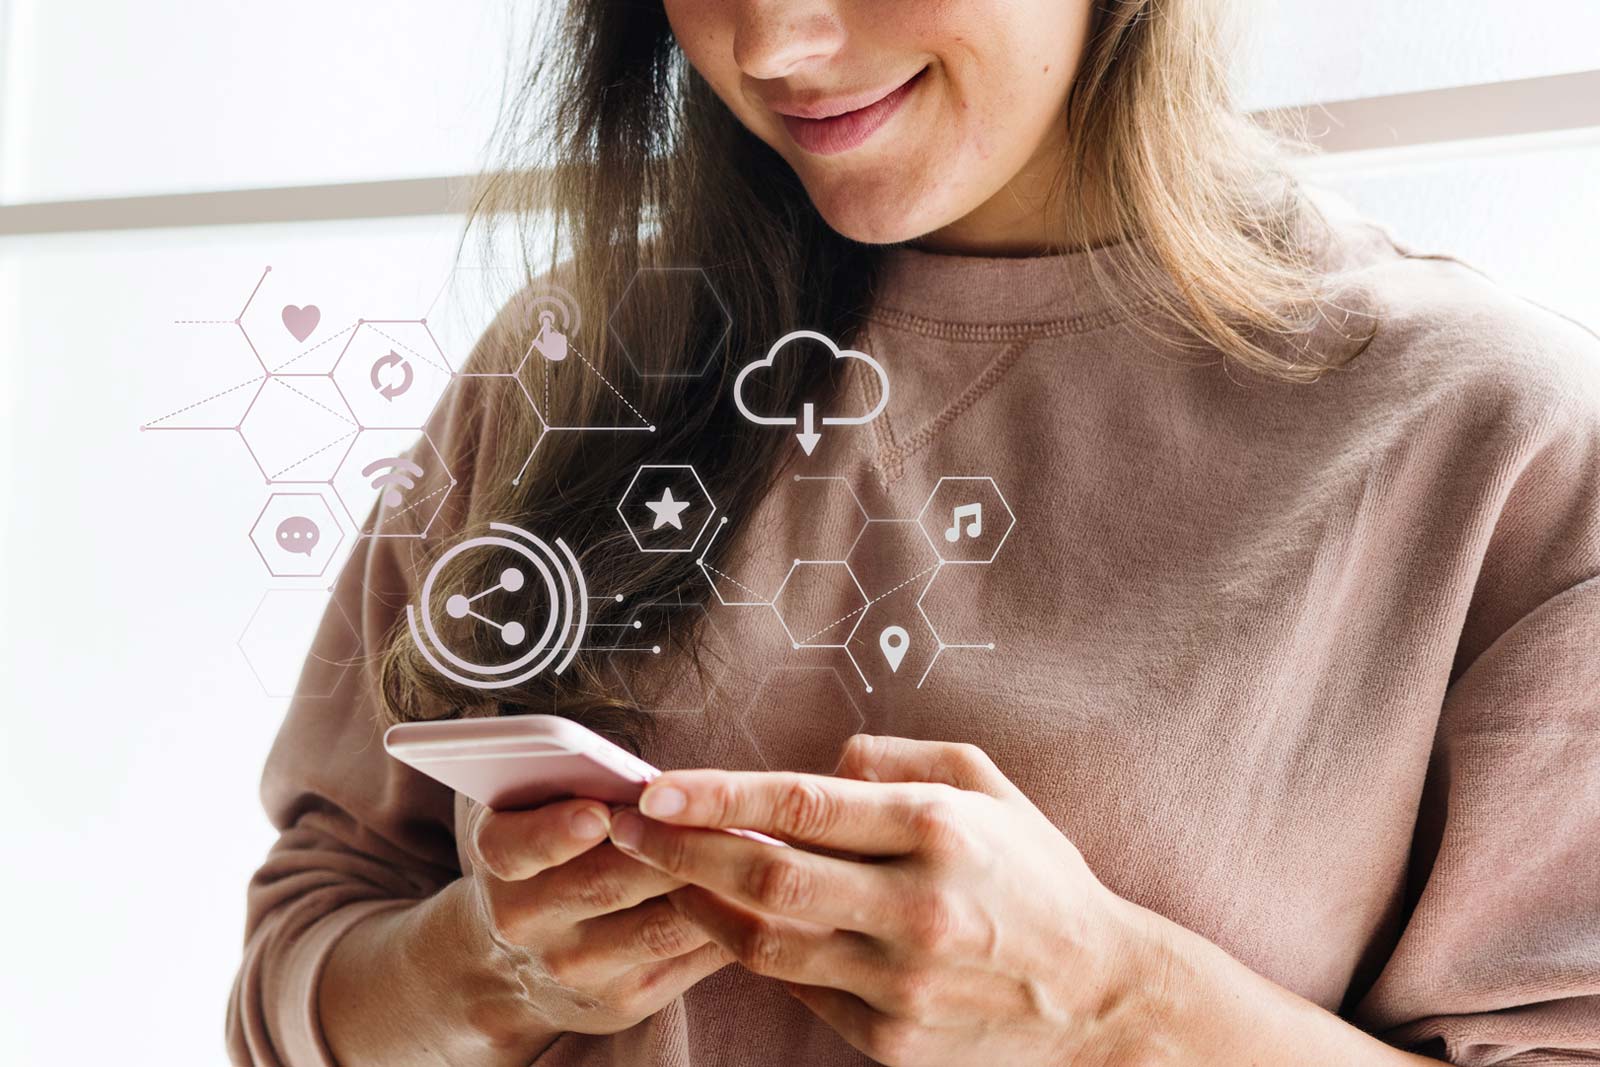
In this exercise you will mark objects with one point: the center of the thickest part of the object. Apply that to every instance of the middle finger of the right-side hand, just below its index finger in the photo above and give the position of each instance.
(766, 877)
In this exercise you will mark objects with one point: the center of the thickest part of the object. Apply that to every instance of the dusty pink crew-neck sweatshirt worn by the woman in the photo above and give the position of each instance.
(1311, 669)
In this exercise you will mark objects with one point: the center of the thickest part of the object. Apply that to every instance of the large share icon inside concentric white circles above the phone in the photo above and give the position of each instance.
(545, 588)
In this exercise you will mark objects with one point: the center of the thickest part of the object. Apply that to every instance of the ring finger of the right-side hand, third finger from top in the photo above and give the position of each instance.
(783, 948)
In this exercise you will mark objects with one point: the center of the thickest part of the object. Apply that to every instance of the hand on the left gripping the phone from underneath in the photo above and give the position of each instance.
(588, 935)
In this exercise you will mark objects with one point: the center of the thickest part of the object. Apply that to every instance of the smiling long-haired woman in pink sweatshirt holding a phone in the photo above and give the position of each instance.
(1286, 751)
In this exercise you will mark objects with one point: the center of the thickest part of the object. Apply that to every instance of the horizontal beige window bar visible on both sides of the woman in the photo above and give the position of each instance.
(1369, 126)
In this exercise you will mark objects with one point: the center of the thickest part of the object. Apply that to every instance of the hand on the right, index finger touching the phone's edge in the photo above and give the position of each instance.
(954, 924)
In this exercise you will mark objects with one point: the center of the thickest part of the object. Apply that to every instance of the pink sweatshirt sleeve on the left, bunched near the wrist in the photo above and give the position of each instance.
(359, 833)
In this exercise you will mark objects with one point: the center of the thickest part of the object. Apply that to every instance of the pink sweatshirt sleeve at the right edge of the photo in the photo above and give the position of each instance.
(1498, 961)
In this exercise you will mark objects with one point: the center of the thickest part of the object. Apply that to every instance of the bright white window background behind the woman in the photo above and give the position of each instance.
(135, 725)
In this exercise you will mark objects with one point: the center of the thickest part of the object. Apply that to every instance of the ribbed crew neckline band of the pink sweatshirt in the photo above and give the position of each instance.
(1058, 290)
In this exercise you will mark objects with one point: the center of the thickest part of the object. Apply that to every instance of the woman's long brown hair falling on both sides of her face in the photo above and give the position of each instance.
(626, 162)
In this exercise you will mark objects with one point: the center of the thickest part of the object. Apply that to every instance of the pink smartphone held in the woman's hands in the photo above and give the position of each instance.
(524, 761)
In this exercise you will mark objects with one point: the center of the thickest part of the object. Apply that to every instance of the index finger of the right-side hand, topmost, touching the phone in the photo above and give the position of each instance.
(846, 815)
